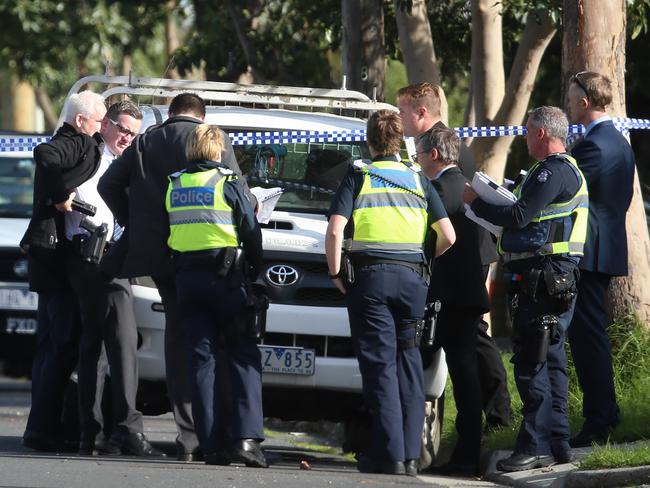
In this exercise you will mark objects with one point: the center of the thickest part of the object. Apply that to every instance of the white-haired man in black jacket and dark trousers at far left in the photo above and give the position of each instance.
(71, 157)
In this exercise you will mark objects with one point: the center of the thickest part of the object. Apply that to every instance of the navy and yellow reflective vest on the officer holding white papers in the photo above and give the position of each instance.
(559, 229)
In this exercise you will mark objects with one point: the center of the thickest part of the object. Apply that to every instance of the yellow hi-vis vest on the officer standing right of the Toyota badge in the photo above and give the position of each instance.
(386, 217)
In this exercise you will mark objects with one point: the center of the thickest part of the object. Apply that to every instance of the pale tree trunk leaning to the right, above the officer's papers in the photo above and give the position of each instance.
(491, 152)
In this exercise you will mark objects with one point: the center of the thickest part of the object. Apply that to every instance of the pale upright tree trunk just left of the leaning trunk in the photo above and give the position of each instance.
(488, 79)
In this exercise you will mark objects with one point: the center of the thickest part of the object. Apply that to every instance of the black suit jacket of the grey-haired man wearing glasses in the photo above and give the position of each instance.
(458, 277)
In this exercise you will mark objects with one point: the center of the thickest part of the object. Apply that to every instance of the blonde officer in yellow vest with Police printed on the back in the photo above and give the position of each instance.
(210, 218)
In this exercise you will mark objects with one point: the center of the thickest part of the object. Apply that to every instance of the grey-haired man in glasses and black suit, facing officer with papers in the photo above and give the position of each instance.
(457, 281)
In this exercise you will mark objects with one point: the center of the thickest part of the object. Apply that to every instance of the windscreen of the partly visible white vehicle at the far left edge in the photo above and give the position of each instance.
(16, 186)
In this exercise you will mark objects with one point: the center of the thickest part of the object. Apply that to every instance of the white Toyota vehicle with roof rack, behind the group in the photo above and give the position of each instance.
(301, 140)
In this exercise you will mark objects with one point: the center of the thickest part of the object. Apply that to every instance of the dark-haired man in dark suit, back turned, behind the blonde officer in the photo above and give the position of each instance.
(134, 189)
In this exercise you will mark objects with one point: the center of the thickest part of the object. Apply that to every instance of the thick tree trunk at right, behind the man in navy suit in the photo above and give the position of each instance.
(594, 40)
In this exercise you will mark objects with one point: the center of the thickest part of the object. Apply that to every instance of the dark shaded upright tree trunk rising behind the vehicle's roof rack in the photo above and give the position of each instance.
(364, 54)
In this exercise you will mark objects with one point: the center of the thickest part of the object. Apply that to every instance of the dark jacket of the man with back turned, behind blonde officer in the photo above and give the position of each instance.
(134, 189)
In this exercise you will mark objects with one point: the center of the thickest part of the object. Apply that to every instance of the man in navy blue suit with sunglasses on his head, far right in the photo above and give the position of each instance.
(607, 161)
